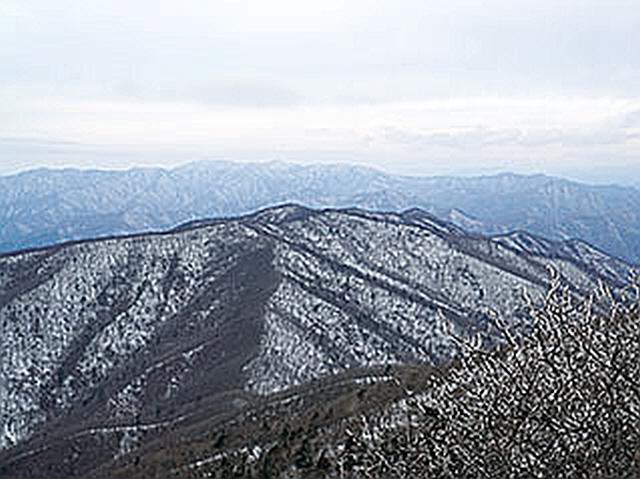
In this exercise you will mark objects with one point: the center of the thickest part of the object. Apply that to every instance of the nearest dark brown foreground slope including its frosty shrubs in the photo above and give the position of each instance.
(562, 401)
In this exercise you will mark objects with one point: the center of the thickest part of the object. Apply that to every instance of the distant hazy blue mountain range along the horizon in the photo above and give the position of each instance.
(43, 207)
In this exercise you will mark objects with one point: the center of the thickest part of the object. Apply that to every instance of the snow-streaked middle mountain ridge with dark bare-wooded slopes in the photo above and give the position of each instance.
(108, 344)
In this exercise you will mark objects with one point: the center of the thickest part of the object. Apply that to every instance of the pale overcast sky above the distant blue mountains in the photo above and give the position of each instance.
(411, 86)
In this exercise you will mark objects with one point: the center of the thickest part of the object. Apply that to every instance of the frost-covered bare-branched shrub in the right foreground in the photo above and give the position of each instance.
(562, 401)
